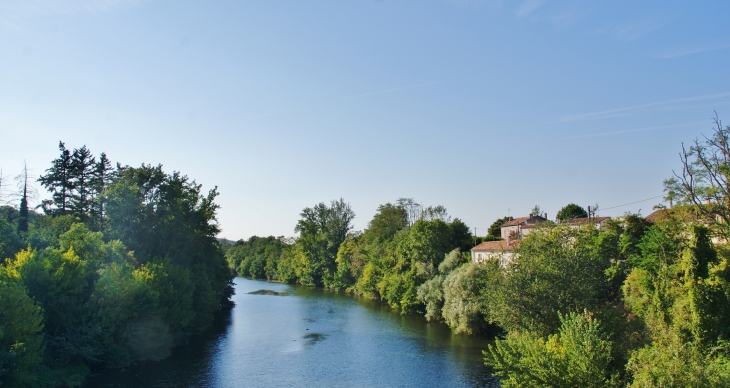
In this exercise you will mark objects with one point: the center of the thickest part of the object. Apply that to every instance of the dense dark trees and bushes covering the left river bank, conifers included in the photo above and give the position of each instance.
(122, 266)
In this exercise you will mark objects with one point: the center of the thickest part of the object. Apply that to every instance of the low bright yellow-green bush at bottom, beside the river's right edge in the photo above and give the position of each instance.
(579, 355)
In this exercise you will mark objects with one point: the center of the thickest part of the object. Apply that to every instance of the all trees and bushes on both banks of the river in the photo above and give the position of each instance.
(110, 274)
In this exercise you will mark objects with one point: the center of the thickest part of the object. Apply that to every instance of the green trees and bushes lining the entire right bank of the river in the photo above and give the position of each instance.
(636, 303)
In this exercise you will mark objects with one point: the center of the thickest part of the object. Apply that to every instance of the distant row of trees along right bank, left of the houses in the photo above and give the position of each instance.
(401, 249)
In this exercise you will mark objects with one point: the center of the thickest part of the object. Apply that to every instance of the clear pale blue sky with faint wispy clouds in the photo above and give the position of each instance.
(485, 107)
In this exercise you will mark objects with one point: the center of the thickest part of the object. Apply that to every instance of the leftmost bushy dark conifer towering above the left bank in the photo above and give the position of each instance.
(58, 181)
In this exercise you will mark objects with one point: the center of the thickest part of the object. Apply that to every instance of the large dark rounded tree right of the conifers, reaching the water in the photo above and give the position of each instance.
(166, 216)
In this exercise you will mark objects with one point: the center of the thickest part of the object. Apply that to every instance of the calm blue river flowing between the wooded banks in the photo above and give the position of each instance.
(305, 337)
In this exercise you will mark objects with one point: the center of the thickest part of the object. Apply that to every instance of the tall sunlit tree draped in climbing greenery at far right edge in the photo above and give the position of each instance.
(680, 290)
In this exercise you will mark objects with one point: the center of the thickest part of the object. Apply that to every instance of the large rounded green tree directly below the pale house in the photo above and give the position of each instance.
(558, 270)
